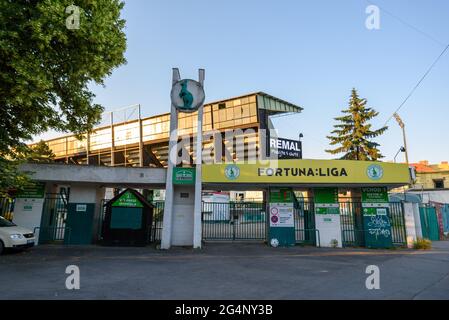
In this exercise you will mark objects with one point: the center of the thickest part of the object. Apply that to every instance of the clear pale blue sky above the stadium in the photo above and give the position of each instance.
(310, 53)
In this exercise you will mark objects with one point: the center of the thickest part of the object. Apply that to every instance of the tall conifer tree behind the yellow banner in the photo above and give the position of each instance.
(353, 134)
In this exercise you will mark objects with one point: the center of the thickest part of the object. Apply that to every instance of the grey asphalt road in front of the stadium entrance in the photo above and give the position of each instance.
(225, 271)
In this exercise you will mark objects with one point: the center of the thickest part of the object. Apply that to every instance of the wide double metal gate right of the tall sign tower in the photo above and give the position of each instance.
(234, 221)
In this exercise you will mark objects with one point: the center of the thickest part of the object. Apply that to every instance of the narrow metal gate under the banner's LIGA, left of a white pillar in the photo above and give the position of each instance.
(305, 232)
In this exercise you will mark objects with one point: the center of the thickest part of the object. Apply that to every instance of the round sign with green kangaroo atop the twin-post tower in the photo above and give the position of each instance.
(187, 95)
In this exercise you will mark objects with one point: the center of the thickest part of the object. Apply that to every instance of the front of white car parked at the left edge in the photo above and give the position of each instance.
(14, 237)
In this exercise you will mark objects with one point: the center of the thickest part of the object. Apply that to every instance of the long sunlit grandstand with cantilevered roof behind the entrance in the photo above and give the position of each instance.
(144, 142)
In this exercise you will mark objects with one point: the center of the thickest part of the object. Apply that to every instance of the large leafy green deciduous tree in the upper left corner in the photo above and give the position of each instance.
(47, 62)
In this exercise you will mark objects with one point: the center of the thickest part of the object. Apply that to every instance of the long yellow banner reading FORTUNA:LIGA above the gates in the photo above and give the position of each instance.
(308, 171)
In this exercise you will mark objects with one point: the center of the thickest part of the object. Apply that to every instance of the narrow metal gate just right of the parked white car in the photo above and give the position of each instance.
(53, 224)
